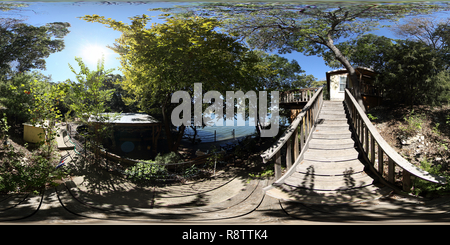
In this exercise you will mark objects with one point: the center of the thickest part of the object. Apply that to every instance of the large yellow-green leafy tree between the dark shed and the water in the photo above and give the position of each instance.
(172, 56)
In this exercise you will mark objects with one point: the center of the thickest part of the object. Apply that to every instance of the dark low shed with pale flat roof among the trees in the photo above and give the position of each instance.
(131, 132)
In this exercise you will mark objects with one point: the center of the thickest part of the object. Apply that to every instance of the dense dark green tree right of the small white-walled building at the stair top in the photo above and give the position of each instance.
(407, 75)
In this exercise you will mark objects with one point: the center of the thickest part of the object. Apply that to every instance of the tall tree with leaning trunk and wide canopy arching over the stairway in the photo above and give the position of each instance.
(309, 29)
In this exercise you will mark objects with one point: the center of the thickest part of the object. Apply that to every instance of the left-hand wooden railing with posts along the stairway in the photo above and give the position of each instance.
(296, 136)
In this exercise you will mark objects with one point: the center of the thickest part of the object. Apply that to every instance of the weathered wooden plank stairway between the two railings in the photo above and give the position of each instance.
(330, 172)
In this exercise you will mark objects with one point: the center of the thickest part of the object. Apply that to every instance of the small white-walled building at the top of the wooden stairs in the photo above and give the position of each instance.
(338, 81)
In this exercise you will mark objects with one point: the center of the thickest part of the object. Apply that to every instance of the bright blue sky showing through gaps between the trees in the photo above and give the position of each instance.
(87, 38)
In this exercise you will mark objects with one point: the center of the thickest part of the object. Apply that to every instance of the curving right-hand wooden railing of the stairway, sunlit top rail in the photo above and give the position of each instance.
(377, 151)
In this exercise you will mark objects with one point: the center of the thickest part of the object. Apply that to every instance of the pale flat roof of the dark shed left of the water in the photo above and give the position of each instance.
(128, 118)
